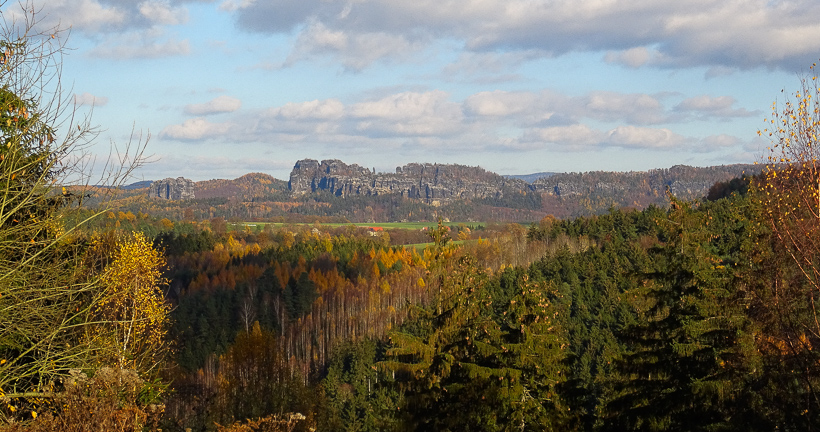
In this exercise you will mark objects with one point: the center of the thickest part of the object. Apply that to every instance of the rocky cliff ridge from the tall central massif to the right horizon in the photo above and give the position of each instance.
(440, 184)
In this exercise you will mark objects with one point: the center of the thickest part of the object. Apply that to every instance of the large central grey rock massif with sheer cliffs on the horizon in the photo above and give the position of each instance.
(432, 183)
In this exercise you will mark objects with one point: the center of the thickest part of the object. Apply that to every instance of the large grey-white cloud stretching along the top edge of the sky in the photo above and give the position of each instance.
(736, 34)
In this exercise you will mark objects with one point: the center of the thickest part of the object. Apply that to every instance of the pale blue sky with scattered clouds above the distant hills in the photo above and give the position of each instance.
(222, 88)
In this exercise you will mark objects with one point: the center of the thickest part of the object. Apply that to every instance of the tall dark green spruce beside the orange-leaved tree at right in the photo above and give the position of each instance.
(692, 354)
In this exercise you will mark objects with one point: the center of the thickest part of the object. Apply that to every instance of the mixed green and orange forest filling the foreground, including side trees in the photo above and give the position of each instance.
(697, 315)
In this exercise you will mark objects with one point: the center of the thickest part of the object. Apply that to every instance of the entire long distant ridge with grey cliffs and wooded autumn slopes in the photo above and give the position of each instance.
(334, 191)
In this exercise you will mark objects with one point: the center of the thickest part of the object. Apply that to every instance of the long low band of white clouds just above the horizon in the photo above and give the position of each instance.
(497, 120)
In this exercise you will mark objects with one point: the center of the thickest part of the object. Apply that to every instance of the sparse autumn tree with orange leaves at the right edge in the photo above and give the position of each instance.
(789, 198)
